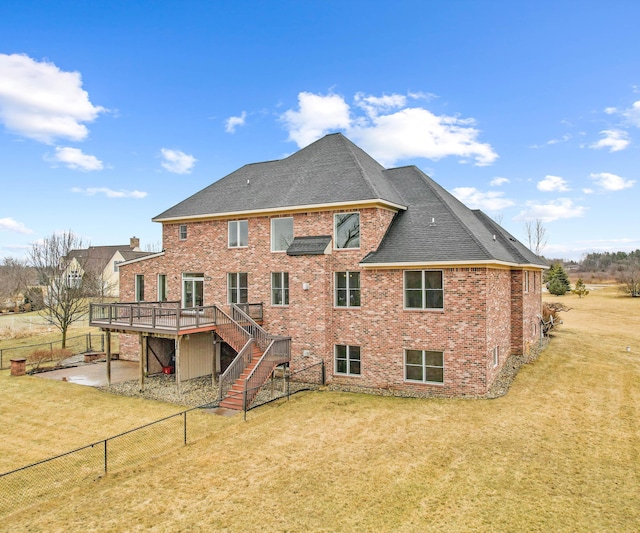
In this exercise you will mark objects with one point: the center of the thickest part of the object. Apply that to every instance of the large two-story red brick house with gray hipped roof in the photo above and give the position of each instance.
(380, 273)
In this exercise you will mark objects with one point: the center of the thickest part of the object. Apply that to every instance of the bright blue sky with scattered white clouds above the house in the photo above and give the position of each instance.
(112, 112)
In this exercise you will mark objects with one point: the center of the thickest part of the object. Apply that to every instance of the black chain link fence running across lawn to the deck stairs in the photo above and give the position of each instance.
(83, 466)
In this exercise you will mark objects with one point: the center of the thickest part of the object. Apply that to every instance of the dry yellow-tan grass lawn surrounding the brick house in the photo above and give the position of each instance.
(558, 453)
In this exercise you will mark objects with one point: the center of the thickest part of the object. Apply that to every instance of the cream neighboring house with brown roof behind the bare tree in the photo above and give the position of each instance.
(102, 263)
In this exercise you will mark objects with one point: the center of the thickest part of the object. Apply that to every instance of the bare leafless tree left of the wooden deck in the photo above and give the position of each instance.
(61, 273)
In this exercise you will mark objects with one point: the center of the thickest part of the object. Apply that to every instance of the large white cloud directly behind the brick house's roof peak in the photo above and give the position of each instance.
(388, 130)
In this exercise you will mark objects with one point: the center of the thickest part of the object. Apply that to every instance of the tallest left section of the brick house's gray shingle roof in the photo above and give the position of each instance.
(330, 170)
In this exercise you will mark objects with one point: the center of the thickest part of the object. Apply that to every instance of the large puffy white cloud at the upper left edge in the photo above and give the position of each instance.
(42, 102)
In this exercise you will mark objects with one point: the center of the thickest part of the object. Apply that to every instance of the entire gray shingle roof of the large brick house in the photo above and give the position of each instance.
(435, 227)
